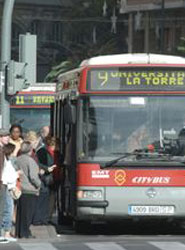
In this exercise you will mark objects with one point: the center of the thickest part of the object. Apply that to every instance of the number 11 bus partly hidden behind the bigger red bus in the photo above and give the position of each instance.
(31, 108)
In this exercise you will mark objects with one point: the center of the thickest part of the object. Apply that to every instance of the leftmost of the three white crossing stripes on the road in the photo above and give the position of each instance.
(37, 246)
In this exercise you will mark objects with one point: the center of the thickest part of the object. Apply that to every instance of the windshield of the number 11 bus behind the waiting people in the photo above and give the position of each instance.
(30, 118)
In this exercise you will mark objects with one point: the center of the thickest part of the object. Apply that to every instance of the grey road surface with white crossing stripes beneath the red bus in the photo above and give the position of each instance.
(104, 237)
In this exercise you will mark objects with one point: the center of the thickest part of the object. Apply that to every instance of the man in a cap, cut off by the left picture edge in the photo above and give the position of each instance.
(4, 139)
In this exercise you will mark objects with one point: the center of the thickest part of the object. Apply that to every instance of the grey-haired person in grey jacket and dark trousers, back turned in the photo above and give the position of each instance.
(30, 186)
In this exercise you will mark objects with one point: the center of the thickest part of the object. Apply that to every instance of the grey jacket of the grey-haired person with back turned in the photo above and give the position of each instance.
(30, 181)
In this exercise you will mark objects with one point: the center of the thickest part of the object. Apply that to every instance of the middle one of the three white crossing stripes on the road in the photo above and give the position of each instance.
(104, 246)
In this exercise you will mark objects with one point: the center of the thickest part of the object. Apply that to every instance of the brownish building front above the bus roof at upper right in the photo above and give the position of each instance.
(157, 24)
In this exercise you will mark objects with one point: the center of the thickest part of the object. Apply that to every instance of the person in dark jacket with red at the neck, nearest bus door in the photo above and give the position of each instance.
(48, 163)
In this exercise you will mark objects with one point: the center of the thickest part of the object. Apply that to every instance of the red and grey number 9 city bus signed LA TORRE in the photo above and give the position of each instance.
(121, 122)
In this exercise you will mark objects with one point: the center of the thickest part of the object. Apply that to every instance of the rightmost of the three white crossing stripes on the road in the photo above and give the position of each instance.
(168, 245)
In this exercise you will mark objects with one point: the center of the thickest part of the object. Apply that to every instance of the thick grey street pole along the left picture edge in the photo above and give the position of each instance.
(5, 58)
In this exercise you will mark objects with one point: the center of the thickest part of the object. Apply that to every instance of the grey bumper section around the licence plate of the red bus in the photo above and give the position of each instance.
(117, 203)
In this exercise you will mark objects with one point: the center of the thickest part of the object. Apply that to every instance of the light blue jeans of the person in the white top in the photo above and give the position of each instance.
(8, 212)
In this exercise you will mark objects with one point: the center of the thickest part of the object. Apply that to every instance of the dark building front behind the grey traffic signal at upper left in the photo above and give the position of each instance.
(43, 18)
